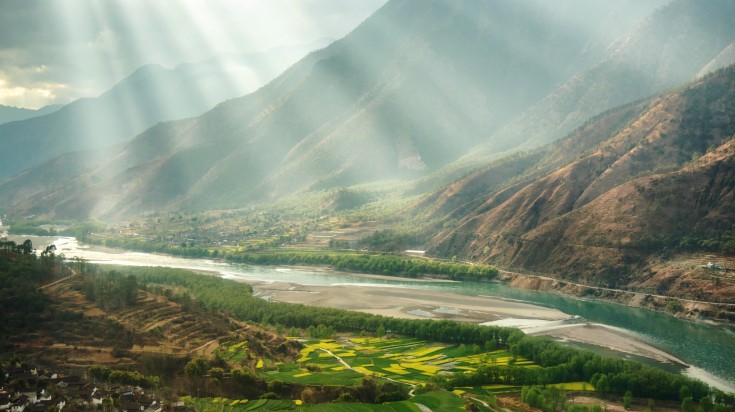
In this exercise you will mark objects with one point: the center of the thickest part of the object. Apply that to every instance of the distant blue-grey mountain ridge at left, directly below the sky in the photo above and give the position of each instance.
(148, 96)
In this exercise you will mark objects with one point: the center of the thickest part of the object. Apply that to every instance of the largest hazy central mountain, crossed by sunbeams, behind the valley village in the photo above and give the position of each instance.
(414, 87)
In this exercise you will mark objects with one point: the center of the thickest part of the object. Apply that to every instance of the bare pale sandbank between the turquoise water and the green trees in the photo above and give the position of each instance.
(423, 304)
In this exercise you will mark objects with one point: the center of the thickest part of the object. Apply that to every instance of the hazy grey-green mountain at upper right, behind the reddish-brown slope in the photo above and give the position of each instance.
(676, 44)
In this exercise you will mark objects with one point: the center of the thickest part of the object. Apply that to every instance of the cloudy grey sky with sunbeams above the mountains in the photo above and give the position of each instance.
(56, 51)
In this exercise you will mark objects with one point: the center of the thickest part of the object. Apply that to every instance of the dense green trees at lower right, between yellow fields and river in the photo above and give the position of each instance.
(608, 375)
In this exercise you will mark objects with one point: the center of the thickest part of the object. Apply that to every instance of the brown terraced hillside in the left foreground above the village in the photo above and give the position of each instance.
(78, 333)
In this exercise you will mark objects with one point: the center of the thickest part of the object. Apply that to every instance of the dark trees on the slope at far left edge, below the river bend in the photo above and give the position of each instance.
(21, 274)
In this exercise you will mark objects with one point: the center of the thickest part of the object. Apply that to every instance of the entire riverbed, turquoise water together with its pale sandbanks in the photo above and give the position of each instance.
(644, 333)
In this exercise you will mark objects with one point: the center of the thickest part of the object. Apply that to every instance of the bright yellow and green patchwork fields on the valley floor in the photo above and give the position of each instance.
(347, 360)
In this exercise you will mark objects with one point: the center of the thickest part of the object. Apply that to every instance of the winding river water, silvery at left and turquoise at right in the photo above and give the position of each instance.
(708, 349)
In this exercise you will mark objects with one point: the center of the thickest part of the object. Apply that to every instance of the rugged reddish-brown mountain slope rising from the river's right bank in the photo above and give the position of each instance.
(610, 204)
